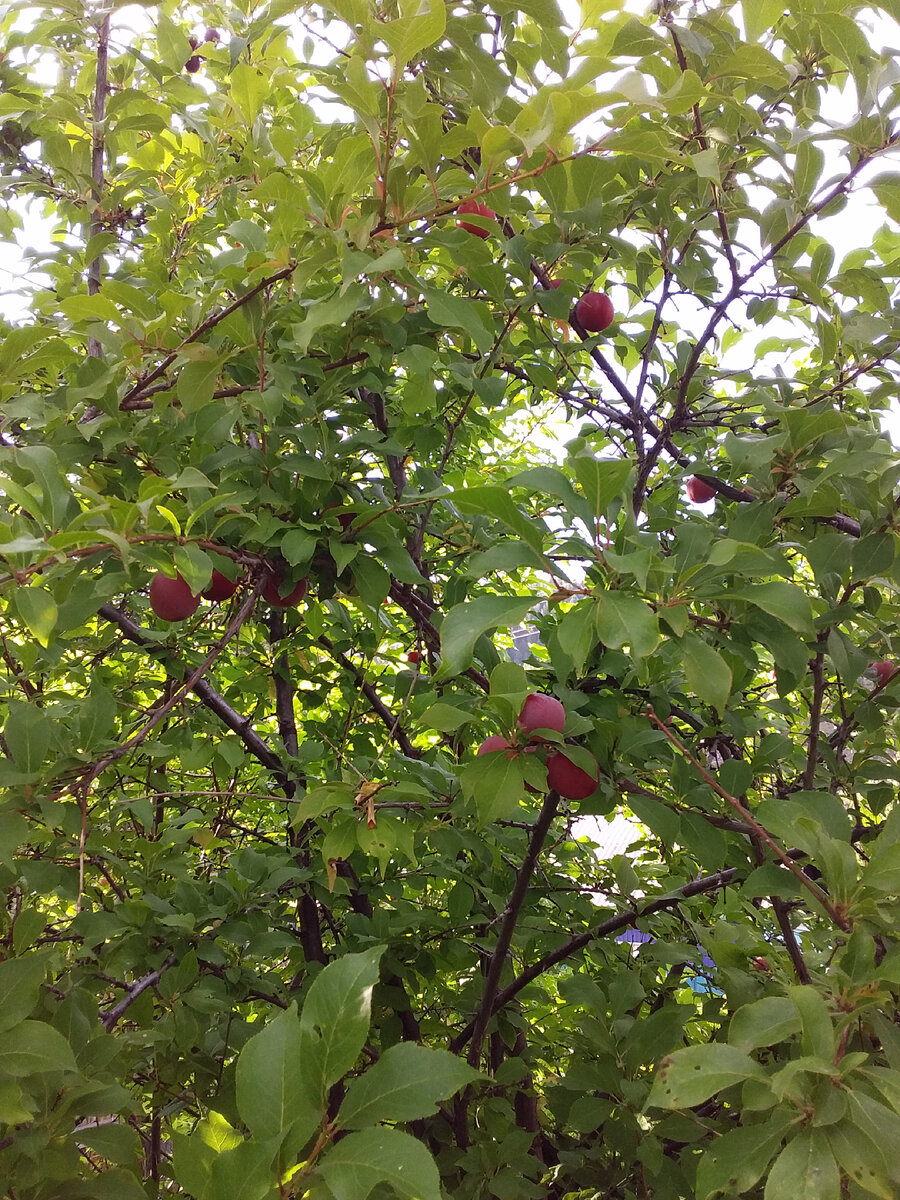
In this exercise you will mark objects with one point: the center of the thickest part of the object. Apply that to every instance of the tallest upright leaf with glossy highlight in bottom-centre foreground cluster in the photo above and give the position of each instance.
(337, 1012)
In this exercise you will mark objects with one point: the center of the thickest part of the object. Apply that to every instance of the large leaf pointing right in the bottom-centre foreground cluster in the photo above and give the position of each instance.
(406, 1083)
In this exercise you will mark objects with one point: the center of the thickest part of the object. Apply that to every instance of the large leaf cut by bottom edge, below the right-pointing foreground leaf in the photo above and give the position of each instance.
(363, 1160)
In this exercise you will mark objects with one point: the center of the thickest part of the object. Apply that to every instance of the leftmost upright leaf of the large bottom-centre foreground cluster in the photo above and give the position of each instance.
(277, 1084)
